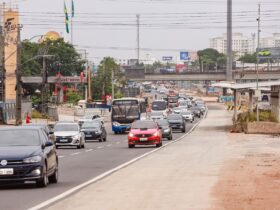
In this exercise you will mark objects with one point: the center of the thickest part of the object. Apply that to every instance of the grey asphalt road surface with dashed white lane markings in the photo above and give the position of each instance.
(76, 166)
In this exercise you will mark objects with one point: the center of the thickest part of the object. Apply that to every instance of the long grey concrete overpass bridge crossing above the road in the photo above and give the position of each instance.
(140, 76)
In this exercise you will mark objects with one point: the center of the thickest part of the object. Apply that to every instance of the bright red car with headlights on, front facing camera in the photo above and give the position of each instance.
(144, 132)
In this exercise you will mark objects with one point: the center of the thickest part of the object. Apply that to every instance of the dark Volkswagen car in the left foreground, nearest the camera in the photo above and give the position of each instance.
(26, 154)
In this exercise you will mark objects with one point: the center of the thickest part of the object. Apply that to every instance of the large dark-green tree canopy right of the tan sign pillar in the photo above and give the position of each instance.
(64, 58)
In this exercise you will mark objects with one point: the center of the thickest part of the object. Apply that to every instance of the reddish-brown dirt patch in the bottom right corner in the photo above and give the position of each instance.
(249, 183)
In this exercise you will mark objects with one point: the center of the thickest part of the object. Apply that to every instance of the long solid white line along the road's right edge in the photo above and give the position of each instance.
(102, 176)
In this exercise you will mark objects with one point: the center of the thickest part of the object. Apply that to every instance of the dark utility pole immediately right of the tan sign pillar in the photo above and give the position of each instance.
(18, 78)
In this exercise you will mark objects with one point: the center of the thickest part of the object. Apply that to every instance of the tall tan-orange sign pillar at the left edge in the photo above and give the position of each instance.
(11, 21)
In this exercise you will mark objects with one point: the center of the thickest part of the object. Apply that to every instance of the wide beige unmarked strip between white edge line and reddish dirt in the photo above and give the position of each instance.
(179, 176)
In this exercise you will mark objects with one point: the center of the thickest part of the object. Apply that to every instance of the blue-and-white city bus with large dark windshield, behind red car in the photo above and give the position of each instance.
(125, 111)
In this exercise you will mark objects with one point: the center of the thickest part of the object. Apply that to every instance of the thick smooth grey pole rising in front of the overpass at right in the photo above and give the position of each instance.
(229, 41)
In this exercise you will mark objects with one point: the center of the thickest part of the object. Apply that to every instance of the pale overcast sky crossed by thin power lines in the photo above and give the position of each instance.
(108, 27)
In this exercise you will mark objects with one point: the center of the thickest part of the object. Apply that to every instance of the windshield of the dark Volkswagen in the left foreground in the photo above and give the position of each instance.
(19, 138)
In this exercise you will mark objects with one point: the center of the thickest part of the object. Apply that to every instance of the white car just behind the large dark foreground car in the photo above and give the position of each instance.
(68, 134)
